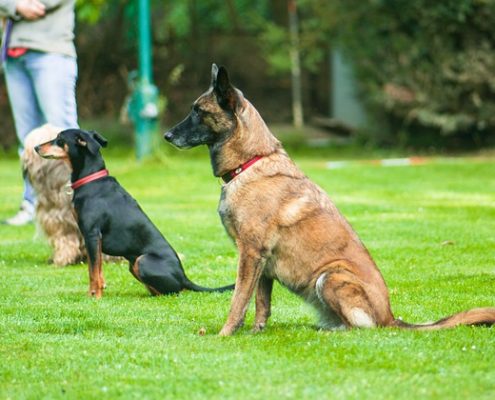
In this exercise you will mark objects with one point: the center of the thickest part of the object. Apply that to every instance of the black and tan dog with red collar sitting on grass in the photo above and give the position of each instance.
(112, 222)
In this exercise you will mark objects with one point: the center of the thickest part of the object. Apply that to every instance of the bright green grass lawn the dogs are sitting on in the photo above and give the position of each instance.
(55, 342)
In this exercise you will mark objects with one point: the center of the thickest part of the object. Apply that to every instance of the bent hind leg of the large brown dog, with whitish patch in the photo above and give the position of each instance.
(344, 293)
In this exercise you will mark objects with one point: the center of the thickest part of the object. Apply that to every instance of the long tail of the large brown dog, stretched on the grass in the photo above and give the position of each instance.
(476, 316)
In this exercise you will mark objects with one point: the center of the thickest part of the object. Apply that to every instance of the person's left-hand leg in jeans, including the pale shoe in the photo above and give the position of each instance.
(27, 116)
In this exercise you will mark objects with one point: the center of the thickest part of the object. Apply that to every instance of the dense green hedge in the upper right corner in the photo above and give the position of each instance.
(427, 63)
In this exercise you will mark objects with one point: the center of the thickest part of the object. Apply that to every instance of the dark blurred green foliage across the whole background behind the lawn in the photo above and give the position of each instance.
(424, 69)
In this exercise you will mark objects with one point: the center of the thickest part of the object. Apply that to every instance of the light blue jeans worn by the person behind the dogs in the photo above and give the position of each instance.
(42, 89)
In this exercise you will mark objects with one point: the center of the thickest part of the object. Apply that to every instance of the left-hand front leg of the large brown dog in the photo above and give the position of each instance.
(248, 274)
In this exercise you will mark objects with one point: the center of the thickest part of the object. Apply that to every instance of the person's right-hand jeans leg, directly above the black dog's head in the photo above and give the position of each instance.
(54, 77)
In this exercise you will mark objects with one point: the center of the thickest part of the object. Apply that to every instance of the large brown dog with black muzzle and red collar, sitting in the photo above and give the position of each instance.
(285, 226)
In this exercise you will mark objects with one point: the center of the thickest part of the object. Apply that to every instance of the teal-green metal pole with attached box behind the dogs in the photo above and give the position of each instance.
(144, 103)
